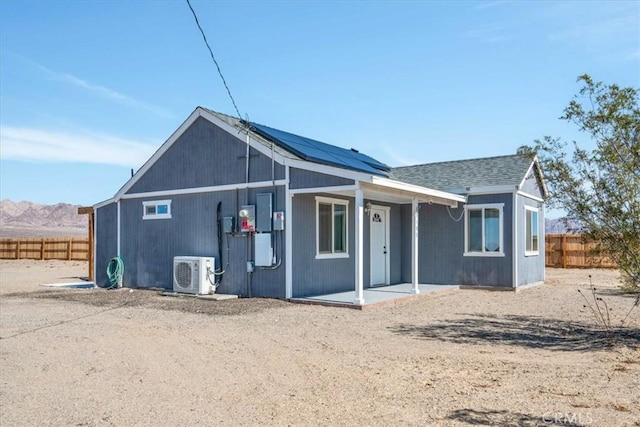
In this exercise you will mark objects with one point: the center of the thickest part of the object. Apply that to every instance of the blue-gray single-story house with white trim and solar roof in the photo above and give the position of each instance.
(285, 216)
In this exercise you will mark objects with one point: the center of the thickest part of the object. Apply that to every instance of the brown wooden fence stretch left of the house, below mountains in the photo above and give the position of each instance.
(48, 248)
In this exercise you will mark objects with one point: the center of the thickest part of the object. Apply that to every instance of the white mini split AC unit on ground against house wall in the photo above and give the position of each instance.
(193, 275)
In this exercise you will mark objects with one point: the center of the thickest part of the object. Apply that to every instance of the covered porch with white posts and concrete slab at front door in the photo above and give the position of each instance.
(378, 191)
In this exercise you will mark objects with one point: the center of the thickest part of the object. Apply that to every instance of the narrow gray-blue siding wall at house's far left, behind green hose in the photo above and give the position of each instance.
(106, 241)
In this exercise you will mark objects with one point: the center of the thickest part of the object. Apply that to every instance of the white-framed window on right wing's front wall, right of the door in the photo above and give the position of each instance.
(483, 230)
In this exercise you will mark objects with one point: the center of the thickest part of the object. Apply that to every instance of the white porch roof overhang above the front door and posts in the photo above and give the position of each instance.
(390, 191)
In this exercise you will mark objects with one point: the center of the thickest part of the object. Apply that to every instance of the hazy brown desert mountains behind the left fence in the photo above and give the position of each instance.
(27, 219)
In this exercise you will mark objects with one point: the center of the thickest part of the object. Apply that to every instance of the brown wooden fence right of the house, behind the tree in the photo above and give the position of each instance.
(572, 251)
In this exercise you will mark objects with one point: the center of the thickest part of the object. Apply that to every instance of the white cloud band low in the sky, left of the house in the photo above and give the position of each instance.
(20, 143)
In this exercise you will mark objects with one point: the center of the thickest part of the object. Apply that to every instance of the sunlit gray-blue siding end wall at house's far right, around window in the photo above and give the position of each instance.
(530, 268)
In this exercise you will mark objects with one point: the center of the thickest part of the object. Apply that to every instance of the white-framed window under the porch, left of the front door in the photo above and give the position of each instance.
(331, 228)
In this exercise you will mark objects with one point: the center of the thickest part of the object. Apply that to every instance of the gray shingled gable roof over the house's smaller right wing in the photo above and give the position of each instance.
(458, 176)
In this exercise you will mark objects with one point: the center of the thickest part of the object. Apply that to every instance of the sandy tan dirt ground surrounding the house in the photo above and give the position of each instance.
(132, 357)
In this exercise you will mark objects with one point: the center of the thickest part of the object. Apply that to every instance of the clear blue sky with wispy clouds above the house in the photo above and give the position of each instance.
(90, 89)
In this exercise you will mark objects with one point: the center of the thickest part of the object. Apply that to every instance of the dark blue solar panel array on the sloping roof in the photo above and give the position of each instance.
(320, 152)
